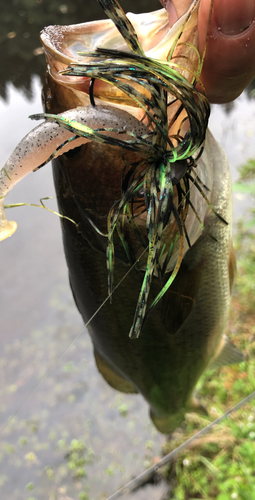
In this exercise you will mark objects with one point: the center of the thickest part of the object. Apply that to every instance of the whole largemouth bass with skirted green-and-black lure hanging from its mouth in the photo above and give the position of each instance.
(117, 147)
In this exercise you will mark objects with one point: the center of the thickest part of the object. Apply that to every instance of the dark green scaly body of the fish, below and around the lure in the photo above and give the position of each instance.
(183, 331)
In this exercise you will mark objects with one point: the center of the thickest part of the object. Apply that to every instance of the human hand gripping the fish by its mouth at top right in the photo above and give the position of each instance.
(229, 64)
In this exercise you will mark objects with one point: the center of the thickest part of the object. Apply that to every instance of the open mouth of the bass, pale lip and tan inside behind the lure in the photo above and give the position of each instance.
(66, 45)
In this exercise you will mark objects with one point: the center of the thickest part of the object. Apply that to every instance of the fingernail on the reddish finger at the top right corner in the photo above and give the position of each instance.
(234, 16)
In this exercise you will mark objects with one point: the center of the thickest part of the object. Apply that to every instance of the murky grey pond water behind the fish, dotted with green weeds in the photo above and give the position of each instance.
(48, 378)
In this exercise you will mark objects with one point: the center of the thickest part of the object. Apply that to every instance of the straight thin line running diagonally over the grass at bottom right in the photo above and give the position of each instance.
(146, 475)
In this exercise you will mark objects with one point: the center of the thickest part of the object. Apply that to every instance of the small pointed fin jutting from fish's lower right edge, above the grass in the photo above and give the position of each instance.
(228, 354)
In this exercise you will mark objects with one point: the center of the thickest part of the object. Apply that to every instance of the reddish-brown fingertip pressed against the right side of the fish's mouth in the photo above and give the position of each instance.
(229, 64)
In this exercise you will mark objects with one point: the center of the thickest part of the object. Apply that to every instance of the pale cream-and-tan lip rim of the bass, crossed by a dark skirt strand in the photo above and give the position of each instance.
(64, 42)
